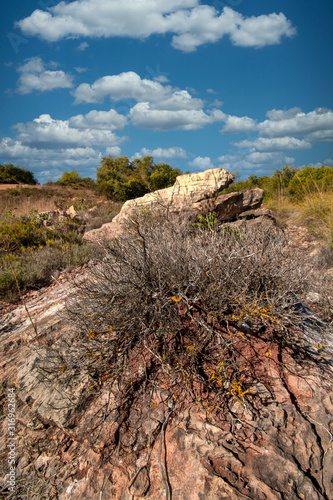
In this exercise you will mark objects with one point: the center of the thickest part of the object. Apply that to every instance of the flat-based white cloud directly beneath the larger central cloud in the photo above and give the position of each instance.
(142, 115)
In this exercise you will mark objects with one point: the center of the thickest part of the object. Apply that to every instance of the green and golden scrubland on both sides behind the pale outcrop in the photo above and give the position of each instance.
(33, 250)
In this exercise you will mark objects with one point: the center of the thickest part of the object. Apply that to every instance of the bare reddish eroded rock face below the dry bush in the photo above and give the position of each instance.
(274, 444)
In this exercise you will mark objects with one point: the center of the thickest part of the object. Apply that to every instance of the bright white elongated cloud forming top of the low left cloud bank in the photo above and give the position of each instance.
(46, 132)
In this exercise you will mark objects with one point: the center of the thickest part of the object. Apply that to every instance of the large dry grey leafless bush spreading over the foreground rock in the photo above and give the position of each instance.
(164, 306)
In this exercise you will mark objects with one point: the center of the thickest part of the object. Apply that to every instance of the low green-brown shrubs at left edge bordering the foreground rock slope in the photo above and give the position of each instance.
(31, 252)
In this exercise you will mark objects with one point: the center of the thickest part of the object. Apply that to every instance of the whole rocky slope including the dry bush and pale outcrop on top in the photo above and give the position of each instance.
(182, 360)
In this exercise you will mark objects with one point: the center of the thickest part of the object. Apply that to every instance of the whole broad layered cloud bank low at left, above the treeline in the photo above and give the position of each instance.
(64, 144)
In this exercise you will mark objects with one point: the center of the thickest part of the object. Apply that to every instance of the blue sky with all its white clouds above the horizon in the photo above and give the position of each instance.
(241, 84)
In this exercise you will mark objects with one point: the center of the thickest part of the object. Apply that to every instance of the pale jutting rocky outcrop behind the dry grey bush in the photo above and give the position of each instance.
(192, 194)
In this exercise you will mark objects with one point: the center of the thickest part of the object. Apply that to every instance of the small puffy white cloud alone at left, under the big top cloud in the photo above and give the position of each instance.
(34, 76)
